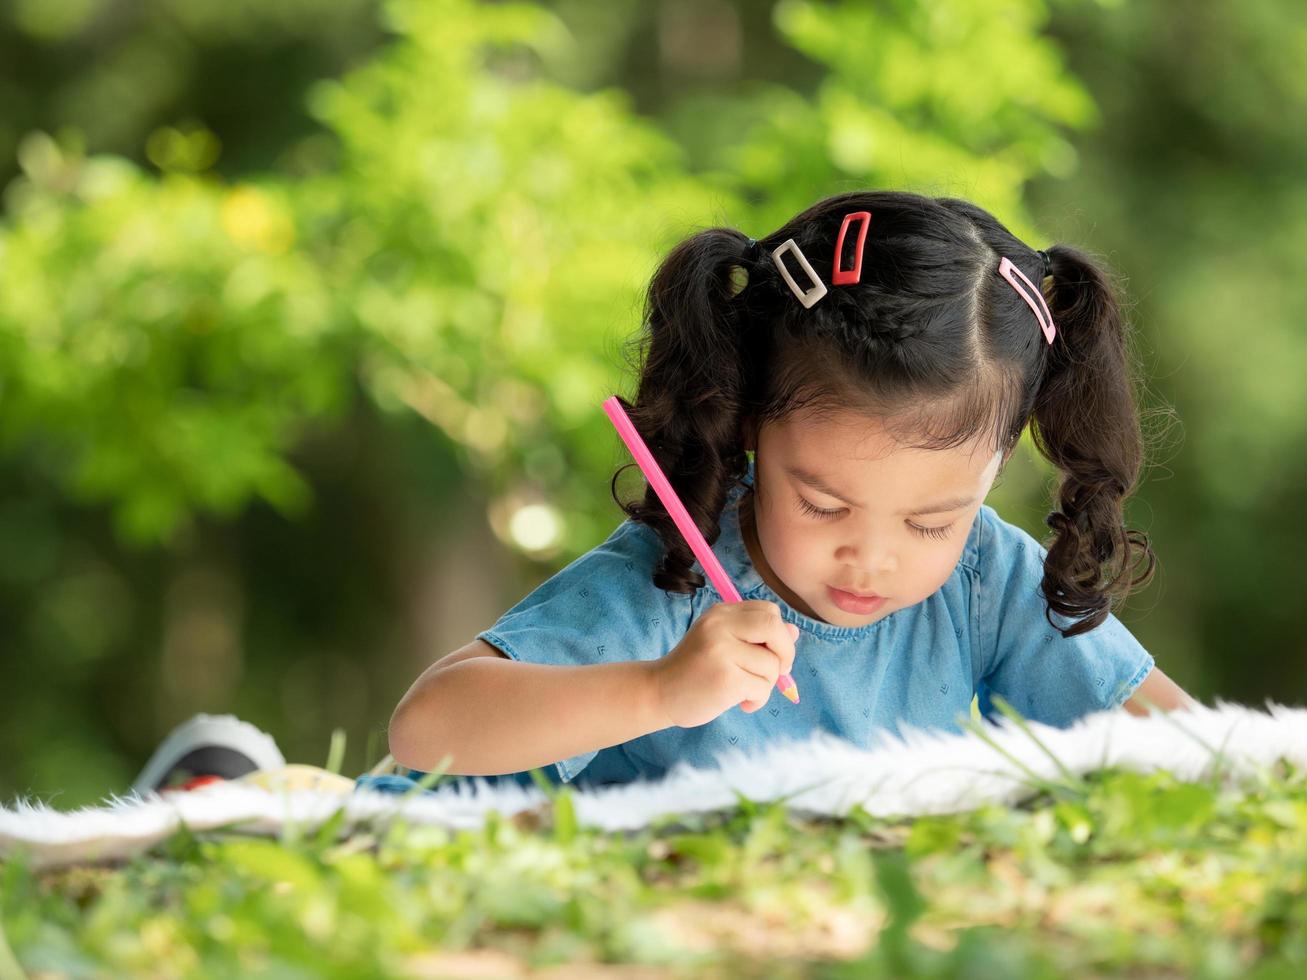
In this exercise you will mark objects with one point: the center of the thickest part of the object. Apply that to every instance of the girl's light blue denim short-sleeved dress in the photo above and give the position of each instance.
(984, 632)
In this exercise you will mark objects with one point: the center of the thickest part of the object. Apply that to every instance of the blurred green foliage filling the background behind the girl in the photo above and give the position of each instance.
(246, 370)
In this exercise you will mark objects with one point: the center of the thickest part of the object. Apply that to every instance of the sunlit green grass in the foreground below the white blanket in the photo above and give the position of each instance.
(1114, 874)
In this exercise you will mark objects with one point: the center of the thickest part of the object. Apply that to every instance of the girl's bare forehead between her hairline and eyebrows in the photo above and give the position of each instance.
(863, 449)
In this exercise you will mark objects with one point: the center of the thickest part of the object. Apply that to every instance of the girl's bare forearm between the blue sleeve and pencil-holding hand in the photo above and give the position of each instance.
(495, 715)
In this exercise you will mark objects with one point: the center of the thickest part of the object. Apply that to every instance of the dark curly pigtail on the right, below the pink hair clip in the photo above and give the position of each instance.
(1087, 423)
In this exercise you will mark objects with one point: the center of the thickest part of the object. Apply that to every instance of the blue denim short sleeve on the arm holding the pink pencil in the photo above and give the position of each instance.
(602, 608)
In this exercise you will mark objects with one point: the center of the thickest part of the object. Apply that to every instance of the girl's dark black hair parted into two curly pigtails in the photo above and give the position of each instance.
(933, 340)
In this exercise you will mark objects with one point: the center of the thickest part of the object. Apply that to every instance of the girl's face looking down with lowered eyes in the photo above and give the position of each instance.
(891, 521)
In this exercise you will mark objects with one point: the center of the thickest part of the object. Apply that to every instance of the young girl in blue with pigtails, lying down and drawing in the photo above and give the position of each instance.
(833, 404)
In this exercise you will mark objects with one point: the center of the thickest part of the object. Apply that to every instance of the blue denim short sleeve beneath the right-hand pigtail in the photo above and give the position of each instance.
(1044, 675)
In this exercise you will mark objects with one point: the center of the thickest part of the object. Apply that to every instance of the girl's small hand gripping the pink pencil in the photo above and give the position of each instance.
(733, 655)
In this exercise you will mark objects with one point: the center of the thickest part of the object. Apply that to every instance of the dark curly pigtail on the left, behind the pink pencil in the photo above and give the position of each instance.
(689, 406)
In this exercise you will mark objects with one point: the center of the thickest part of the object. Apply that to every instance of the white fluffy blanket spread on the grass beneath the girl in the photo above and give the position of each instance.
(926, 773)
